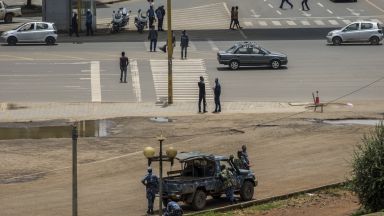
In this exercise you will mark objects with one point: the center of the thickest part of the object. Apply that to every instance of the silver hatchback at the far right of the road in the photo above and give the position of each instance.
(360, 31)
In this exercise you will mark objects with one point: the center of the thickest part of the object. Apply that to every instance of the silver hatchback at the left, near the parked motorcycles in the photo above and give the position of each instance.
(32, 32)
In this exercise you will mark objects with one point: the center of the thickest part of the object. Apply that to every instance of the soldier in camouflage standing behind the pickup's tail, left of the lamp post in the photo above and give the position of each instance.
(151, 183)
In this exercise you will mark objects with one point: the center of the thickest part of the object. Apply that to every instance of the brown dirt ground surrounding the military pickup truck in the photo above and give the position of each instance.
(287, 155)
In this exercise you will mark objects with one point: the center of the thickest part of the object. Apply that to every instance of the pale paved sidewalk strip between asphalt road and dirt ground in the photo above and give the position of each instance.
(18, 112)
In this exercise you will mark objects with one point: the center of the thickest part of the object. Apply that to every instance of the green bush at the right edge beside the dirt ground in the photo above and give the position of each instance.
(368, 170)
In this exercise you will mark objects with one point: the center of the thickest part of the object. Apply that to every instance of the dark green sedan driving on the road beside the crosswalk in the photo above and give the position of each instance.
(250, 54)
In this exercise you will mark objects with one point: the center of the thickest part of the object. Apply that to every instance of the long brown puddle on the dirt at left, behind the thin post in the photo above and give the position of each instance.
(91, 128)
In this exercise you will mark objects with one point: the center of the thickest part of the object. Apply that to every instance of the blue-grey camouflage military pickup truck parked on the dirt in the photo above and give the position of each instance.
(199, 178)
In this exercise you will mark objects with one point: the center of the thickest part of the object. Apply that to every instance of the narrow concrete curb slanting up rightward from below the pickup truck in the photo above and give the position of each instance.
(268, 199)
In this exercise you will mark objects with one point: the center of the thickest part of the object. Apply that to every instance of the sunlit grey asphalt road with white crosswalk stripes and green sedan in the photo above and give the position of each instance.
(64, 73)
